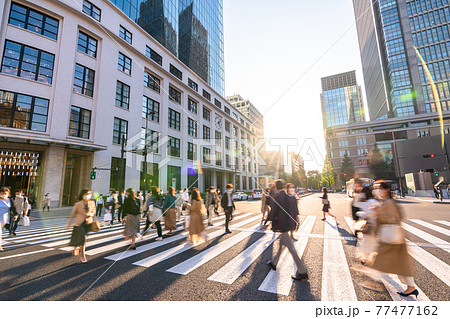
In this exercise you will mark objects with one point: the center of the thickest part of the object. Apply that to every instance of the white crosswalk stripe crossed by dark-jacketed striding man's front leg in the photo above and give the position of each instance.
(280, 281)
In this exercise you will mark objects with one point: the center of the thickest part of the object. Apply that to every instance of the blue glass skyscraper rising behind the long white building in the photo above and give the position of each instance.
(190, 29)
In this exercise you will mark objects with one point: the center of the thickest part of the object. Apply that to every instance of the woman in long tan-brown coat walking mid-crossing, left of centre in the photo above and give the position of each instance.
(197, 210)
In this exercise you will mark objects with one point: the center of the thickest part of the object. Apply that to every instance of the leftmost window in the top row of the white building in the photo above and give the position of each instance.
(34, 21)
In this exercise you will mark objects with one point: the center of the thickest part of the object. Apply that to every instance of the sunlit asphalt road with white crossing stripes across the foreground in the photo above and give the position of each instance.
(37, 264)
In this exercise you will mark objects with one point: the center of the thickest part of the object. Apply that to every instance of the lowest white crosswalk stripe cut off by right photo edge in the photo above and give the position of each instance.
(436, 266)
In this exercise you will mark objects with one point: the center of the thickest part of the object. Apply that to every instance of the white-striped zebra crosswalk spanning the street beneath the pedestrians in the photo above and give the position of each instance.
(428, 244)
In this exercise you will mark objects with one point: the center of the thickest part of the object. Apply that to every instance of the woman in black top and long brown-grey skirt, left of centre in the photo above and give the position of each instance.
(130, 216)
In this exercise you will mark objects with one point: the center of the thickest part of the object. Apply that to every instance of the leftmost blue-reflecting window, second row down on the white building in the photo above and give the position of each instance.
(27, 62)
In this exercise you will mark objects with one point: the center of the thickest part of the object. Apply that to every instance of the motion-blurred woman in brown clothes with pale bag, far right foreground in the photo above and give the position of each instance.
(392, 256)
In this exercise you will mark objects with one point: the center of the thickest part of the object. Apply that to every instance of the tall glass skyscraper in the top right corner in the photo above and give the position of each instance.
(388, 30)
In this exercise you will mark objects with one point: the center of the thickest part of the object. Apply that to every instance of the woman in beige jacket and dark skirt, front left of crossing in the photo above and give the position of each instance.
(83, 212)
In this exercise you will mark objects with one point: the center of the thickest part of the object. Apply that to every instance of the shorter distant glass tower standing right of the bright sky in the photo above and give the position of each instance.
(341, 100)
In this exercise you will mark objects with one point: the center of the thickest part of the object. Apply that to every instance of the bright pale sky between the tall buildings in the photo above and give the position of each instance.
(269, 45)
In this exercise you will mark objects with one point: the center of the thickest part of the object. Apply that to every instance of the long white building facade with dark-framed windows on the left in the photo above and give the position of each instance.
(86, 87)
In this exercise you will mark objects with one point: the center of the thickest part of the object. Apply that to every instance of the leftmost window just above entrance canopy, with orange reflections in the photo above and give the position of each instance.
(23, 111)
